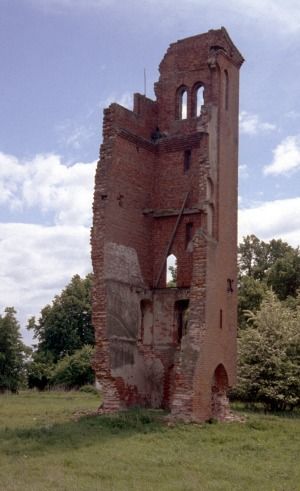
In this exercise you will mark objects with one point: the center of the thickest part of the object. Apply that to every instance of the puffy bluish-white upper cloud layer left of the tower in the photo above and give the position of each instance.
(45, 184)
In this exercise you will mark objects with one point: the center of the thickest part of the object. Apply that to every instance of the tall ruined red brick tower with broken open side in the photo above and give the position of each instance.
(166, 183)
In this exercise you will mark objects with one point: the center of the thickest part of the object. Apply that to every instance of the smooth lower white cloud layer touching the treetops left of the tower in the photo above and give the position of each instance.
(36, 262)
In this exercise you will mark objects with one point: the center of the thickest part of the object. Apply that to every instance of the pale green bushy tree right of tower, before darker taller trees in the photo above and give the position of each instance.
(269, 356)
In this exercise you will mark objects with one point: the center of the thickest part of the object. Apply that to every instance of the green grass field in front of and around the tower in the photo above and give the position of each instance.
(43, 448)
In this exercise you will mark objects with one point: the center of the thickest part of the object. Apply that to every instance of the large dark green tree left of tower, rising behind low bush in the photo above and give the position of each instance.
(65, 325)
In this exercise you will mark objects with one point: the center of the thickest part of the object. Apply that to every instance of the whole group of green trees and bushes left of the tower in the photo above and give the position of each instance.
(64, 341)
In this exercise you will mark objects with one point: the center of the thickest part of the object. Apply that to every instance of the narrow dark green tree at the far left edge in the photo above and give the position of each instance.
(12, 352)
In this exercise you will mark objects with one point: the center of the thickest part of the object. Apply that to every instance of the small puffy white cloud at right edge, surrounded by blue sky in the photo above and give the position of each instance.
(286, 157)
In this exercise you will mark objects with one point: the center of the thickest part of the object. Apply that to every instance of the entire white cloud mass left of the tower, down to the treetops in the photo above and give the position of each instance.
(37, 261)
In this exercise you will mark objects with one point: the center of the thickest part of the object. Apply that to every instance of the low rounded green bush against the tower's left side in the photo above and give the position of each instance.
(75, 370)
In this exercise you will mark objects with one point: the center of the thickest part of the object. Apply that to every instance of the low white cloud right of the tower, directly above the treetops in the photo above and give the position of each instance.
(272, 219)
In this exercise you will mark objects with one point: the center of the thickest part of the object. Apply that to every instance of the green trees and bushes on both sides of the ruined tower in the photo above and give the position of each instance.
(268, 334)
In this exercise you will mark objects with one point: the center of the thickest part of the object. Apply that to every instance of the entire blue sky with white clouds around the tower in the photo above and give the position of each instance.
(63, 61)
